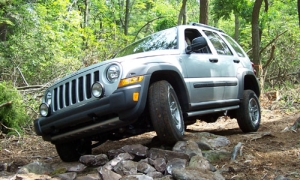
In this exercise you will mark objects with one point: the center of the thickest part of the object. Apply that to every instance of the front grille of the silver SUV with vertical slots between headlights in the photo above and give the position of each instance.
(74, 91)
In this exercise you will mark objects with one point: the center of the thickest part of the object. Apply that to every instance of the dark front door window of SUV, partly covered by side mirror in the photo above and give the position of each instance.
(190, 35)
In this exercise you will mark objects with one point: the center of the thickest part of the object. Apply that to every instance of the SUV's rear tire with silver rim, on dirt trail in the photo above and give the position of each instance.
(249, 114)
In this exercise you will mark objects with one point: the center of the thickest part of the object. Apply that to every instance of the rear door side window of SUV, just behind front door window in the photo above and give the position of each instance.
(220, 46)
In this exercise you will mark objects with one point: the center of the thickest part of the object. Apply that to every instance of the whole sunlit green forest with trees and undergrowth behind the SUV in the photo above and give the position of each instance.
(44, 40)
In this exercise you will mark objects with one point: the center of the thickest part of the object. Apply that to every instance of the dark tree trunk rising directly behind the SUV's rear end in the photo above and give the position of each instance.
(256, 35)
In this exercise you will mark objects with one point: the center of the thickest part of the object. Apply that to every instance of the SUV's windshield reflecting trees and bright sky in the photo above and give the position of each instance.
(166, 39)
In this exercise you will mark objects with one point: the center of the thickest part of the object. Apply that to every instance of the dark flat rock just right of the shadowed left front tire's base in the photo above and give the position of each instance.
(94, 160)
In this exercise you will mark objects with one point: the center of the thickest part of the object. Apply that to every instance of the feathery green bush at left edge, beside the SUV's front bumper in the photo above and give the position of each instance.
(12, 110)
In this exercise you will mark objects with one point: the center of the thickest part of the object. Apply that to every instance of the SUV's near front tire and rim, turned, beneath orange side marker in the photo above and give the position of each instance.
(165, 112)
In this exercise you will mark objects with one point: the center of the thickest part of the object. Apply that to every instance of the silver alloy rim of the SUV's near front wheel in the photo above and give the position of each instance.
(175, 111)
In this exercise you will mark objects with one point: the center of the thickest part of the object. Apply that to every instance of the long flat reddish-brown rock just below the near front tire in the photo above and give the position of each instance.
(155, 153)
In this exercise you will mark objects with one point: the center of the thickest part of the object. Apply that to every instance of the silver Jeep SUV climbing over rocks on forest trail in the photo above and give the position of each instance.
(162, 82)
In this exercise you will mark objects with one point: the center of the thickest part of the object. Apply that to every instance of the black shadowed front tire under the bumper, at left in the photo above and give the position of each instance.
(71, 151)
